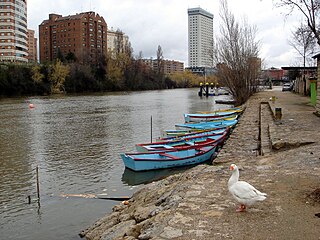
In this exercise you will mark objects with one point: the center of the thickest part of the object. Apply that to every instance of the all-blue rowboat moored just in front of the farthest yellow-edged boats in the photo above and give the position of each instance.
(207, 125)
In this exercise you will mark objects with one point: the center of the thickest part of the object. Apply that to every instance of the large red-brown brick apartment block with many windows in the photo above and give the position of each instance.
(83, 36)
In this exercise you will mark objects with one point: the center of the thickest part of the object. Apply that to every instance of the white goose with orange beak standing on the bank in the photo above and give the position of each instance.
(242, 191)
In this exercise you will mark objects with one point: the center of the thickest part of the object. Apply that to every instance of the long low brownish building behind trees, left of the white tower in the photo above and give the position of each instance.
(169, 66)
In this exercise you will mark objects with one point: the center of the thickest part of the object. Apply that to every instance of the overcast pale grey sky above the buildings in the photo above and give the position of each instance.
(150, 23)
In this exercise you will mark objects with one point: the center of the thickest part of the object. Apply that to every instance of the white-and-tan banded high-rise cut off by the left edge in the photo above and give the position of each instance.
(13, 31)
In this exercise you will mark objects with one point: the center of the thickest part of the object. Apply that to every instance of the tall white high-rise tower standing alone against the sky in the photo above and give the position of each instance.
(200, 38)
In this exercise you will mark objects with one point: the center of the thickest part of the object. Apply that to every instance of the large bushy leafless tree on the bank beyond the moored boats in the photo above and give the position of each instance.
(237, 56)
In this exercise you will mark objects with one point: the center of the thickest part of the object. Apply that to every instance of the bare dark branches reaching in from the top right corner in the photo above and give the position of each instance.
(310, 9)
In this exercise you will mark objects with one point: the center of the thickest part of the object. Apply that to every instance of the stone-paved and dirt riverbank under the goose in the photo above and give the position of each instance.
(280, 158)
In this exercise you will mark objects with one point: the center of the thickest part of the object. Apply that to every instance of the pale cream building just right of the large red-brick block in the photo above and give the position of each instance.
(117, 41)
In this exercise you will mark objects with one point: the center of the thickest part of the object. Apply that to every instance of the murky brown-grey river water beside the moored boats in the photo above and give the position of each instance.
(75, 142)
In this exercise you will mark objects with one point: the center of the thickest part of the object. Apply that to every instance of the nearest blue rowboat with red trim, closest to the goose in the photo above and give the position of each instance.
(160, 160)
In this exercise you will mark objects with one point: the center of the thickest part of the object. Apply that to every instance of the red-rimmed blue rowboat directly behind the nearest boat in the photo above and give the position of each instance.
(184, 143)
